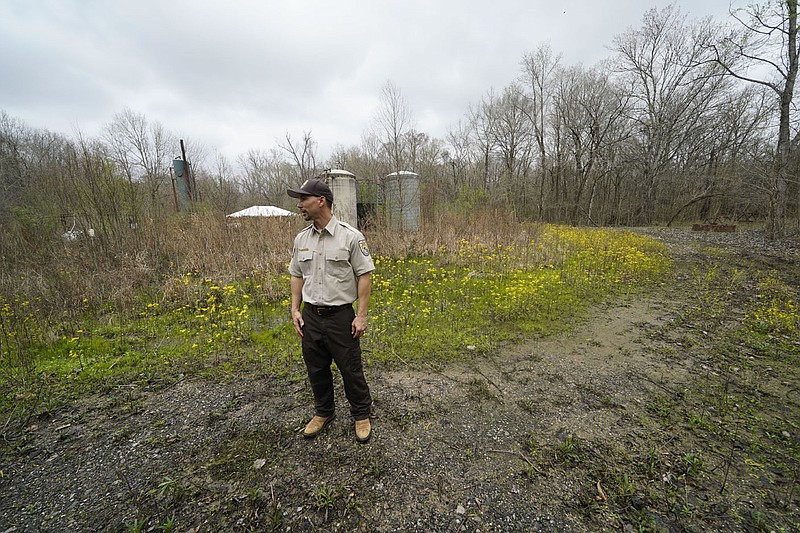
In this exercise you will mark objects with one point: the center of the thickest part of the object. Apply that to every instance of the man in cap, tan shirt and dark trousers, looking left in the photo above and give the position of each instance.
(330, 269)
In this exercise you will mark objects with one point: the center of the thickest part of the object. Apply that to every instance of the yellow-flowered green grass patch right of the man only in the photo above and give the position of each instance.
(469, 298)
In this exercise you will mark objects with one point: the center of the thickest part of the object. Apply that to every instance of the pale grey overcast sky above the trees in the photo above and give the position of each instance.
(235, 75)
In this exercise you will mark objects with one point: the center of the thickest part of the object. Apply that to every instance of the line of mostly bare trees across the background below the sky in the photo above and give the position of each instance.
(689, 119)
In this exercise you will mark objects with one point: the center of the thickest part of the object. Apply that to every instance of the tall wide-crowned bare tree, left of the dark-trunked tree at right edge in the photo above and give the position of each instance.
(673, 89)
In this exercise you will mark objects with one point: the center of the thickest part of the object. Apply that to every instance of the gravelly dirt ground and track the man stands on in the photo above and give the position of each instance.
(514, 440)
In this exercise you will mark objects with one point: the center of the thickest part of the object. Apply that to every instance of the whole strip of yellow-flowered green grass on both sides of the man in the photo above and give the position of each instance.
(438, 307)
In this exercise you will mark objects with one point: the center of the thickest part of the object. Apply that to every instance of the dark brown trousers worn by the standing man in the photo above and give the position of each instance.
(328, 339)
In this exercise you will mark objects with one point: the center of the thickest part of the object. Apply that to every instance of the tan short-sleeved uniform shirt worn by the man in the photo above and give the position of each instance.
(330, 261)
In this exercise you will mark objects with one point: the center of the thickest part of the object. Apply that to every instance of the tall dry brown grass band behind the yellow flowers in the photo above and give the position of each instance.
(113, 272)
